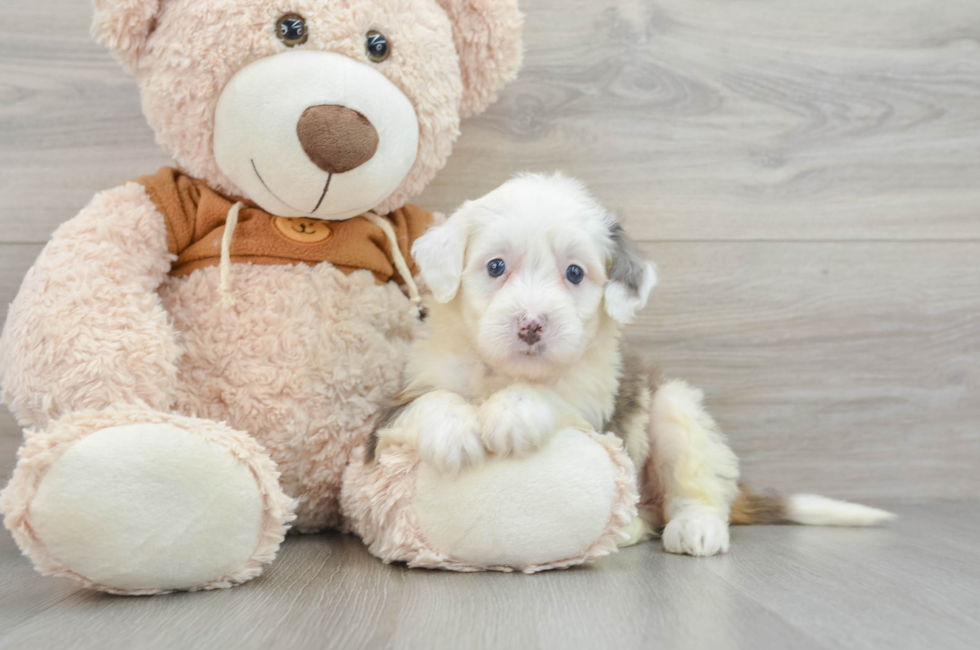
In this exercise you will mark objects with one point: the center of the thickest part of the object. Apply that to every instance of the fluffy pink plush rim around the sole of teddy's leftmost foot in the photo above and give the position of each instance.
(42, 450)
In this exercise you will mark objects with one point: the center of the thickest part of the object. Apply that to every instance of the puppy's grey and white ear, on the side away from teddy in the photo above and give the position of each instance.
(631, 278)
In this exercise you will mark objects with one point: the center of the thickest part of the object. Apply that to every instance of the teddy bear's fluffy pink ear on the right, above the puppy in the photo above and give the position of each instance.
(487, 34)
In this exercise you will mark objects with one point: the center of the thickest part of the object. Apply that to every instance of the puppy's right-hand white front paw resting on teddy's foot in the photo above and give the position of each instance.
(515, 420)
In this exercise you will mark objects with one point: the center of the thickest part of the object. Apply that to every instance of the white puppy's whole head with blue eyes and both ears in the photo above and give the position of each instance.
(534, 269)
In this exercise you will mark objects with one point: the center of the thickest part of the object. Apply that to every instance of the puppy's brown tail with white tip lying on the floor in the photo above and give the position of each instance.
(808, 509)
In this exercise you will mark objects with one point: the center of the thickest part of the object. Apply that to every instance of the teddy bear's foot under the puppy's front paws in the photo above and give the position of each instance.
(567, 503)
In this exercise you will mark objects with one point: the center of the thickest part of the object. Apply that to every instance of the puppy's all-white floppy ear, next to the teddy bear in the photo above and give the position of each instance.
(439, 255)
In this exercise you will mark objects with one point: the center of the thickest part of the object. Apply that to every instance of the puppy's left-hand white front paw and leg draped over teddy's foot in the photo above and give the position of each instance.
(443, 426)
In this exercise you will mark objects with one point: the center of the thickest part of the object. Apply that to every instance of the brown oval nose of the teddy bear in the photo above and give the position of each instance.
(336, 138)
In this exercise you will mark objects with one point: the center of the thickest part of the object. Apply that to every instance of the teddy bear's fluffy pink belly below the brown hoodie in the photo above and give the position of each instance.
(303, 362)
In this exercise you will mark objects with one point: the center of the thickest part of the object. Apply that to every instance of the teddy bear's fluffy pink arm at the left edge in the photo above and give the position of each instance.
(87, 328)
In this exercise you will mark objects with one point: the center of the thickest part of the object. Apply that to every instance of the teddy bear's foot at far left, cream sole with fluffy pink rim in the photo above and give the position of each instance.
(132, 501)
